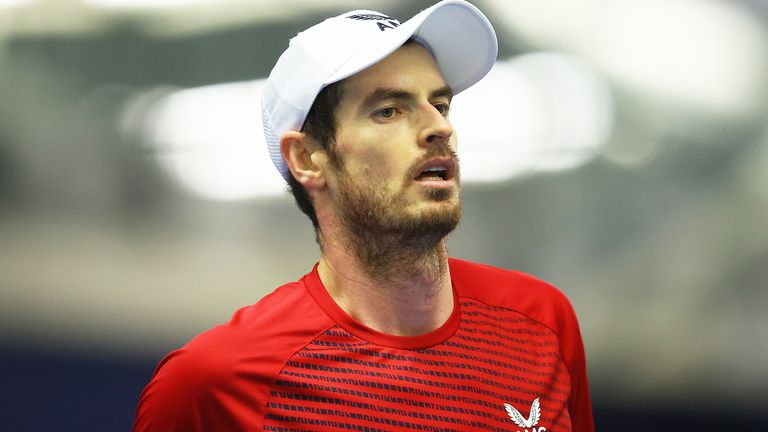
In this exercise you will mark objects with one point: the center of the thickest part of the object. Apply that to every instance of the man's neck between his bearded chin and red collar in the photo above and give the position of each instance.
(392, 285)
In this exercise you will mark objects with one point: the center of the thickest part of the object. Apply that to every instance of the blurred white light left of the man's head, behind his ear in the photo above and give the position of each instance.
(210, 140)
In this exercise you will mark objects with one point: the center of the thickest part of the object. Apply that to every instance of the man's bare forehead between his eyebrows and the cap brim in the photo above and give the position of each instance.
(410, 68)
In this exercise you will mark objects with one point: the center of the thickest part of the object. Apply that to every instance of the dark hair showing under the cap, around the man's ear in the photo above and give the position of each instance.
(320, 125)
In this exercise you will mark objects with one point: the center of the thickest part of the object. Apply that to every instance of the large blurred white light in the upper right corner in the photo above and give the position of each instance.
(705, 55)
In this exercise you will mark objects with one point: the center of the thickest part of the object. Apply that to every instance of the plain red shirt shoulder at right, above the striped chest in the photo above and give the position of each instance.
(514, 290)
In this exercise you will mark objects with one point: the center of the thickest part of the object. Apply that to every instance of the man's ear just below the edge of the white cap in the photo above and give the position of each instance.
(300, 153)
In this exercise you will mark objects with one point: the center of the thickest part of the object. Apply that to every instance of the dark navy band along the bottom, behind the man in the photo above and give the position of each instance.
(42, 392)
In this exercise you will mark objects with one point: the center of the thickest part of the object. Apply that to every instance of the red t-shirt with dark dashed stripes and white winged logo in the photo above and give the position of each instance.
(510, 358)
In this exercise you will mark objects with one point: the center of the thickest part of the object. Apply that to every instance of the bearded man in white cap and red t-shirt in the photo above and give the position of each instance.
(385, 333)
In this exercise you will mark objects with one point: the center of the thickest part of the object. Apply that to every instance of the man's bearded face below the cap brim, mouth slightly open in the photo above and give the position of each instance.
(398, 171)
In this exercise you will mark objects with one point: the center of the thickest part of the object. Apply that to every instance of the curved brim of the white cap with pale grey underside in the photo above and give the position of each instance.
(459, 36)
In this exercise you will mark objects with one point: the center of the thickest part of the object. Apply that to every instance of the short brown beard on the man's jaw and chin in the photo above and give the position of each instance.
(387, 239)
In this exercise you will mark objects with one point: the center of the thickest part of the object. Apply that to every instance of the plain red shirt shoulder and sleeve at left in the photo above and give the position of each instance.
(241, 357)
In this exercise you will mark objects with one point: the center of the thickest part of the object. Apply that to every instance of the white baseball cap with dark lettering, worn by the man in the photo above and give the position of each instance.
(459, 36)
